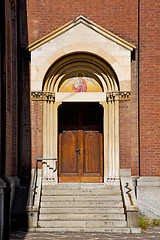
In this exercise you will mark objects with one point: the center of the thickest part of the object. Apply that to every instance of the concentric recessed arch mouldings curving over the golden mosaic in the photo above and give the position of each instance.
(88, 66)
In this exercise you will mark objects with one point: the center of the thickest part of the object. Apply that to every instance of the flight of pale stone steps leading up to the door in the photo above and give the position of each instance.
(82, 207)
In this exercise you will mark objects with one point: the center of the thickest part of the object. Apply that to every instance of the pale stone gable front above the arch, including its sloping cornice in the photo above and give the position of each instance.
(81, 35)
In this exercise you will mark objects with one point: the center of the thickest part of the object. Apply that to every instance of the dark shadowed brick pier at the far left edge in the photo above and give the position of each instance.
(9, 95)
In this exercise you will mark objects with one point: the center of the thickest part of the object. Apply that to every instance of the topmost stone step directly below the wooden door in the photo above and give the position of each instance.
(78, 186)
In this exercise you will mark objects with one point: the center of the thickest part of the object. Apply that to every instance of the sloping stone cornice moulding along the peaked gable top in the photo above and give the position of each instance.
(81, 20)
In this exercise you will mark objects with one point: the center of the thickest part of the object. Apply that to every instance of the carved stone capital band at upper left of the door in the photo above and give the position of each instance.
(42, 96)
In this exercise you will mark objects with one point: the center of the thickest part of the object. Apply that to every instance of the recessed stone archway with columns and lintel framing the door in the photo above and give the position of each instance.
(107, 95)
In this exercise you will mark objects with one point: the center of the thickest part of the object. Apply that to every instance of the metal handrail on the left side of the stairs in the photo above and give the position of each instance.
(33, 187)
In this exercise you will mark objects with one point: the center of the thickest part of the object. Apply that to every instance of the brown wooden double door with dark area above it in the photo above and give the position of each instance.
(80, 143)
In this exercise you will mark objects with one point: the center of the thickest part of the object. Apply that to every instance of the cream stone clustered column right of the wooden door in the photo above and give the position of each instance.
(111, 138)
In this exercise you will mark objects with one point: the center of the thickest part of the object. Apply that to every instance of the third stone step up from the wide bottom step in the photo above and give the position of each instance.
(81, 217)
